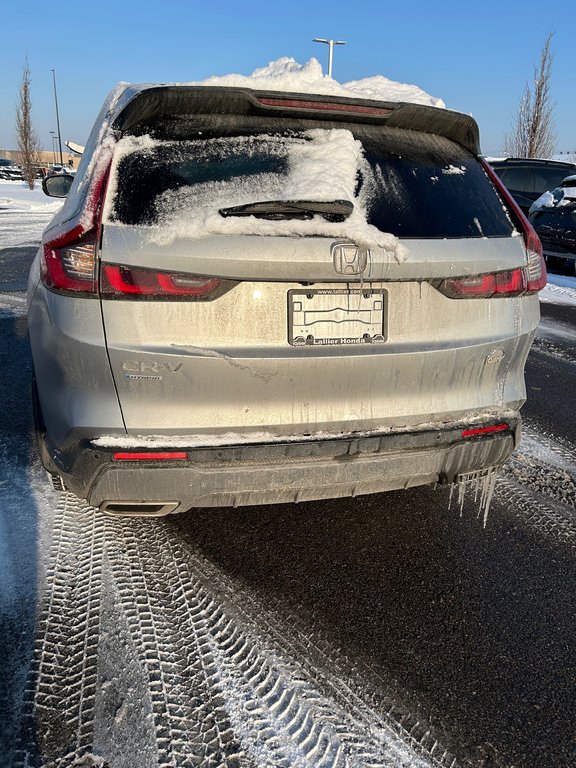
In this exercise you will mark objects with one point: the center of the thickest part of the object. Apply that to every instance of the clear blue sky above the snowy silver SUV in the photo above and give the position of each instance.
(477, 57)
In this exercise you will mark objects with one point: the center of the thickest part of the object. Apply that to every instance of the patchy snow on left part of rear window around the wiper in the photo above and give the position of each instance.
(178, 188)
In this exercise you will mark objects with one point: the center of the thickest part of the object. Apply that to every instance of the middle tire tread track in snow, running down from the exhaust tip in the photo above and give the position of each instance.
(189, 725)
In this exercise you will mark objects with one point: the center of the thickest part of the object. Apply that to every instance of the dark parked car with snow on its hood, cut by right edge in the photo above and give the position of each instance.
(553, 216)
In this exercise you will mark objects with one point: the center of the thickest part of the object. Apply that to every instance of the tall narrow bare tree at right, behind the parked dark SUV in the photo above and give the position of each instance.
(533, 133)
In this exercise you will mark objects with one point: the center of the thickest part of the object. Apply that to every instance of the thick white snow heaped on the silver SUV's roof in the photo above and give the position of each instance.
(285, 74)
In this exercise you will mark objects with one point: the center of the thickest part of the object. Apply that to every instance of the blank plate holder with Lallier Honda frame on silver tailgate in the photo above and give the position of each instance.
(330, 316)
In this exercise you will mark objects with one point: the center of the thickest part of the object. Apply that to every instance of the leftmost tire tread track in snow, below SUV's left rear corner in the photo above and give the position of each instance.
(59, 700)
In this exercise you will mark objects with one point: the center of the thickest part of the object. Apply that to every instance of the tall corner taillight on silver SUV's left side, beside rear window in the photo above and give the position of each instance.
(70, 263)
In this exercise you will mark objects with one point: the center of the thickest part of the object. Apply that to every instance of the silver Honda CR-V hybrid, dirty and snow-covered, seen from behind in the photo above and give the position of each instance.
(252, 296)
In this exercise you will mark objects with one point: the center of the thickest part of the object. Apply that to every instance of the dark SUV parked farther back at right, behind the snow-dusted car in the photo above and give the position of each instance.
(528, 178)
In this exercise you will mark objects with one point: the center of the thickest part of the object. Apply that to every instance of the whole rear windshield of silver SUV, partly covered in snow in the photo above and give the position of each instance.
(407, 184)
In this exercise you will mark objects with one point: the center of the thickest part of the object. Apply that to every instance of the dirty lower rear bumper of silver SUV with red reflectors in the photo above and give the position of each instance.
(238, 475)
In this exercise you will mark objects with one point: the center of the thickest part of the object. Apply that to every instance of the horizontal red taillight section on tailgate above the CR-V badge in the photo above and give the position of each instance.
(124, 281)
